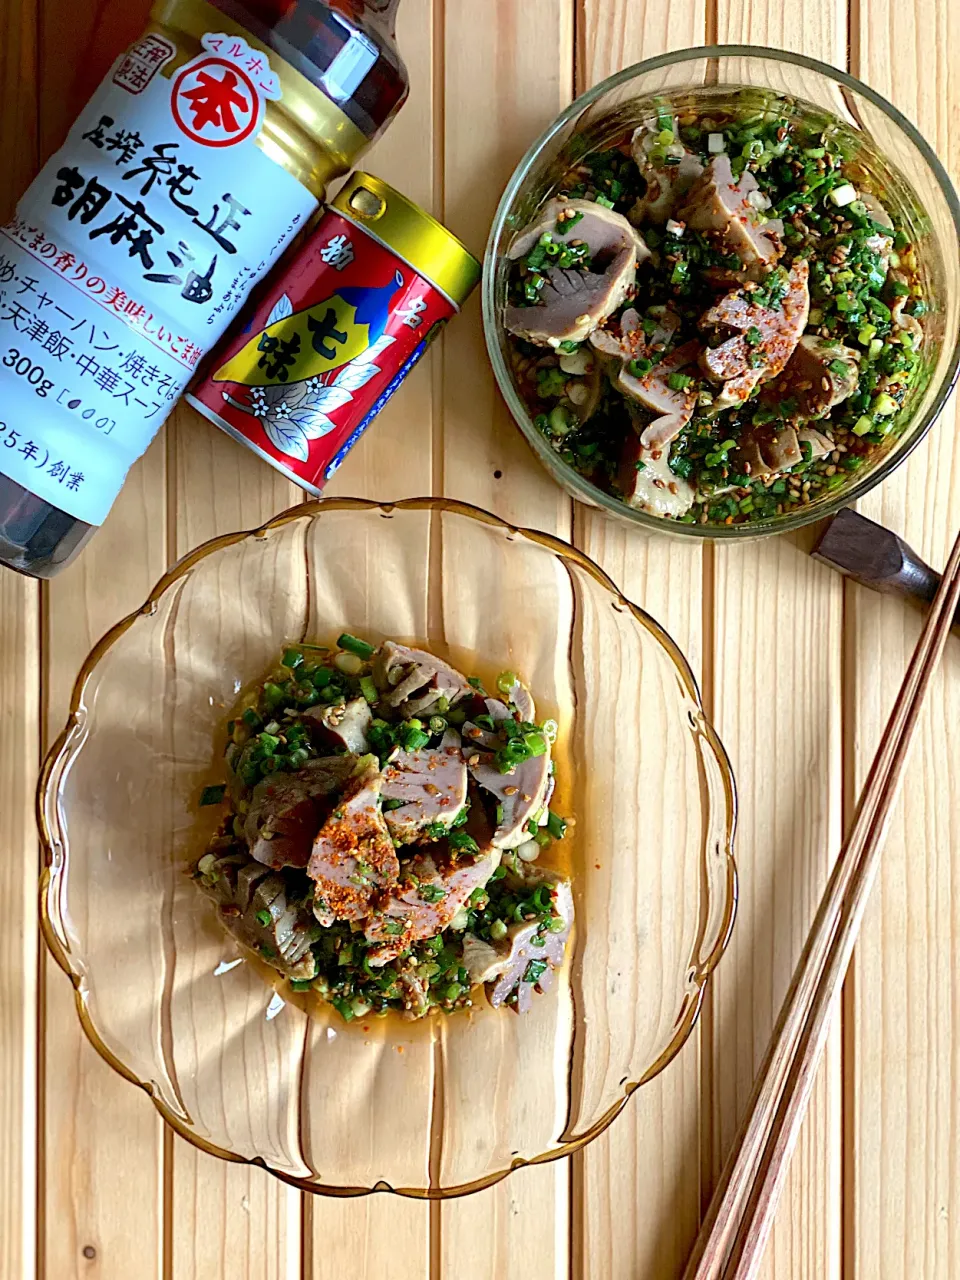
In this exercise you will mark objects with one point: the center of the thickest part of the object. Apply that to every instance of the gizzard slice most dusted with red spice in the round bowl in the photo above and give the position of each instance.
(742, 364)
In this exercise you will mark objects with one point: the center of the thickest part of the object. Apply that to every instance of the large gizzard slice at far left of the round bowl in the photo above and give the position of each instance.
(574, 303)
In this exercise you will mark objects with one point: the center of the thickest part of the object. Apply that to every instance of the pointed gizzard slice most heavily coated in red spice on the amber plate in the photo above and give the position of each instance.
(354, 858)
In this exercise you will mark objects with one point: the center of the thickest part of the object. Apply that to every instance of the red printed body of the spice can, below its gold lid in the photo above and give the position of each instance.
(321, 355)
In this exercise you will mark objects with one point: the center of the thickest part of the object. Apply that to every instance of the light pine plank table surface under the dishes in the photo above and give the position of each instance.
(92, 1185)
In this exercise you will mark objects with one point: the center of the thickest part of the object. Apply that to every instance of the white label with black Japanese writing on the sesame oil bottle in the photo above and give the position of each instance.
(129, 258)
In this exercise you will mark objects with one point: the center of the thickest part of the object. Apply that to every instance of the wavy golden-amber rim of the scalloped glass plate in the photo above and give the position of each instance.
(54, 862)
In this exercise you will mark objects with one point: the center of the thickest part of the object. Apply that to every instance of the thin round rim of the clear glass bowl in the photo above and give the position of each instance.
(572, 479)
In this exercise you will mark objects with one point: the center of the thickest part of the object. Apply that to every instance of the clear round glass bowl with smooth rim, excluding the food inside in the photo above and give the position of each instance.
(889, 145)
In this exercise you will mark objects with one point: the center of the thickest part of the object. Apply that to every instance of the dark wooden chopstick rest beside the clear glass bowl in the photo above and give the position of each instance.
(876, 557)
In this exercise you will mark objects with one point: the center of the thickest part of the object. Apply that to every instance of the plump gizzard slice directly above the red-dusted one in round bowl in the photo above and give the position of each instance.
(726, 213)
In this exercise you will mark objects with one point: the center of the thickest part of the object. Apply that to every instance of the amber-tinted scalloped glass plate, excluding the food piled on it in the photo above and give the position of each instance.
(428, 1109)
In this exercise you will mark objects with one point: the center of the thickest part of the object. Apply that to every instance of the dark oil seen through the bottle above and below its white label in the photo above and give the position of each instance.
(348, 49)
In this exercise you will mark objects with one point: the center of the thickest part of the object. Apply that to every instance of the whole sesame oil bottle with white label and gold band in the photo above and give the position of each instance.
(203, 156)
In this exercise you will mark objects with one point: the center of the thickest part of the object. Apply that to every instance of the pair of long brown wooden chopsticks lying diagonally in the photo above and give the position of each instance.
(740, 1215)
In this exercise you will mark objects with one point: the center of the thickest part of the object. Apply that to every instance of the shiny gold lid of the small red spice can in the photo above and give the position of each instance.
(412, 234)
